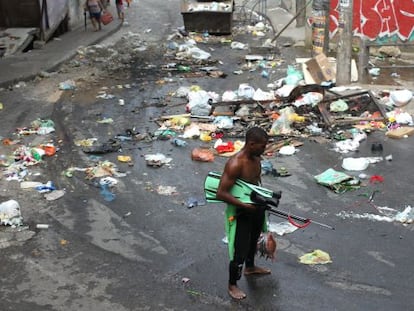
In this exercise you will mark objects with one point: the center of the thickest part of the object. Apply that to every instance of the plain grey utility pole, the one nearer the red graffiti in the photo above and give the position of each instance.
(344, 51)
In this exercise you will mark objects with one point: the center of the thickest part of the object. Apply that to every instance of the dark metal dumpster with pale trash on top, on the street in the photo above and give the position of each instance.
(213, 17)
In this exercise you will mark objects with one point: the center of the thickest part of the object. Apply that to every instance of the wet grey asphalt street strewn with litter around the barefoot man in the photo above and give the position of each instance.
(140, 247)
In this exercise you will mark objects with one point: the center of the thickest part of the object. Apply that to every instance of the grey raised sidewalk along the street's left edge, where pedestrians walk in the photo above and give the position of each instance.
(25, 66)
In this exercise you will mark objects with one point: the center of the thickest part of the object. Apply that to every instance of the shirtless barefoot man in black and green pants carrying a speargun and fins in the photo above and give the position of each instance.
(244, 222)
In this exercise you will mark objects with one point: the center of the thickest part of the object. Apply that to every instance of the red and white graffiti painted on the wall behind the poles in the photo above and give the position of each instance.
(377, 18)
